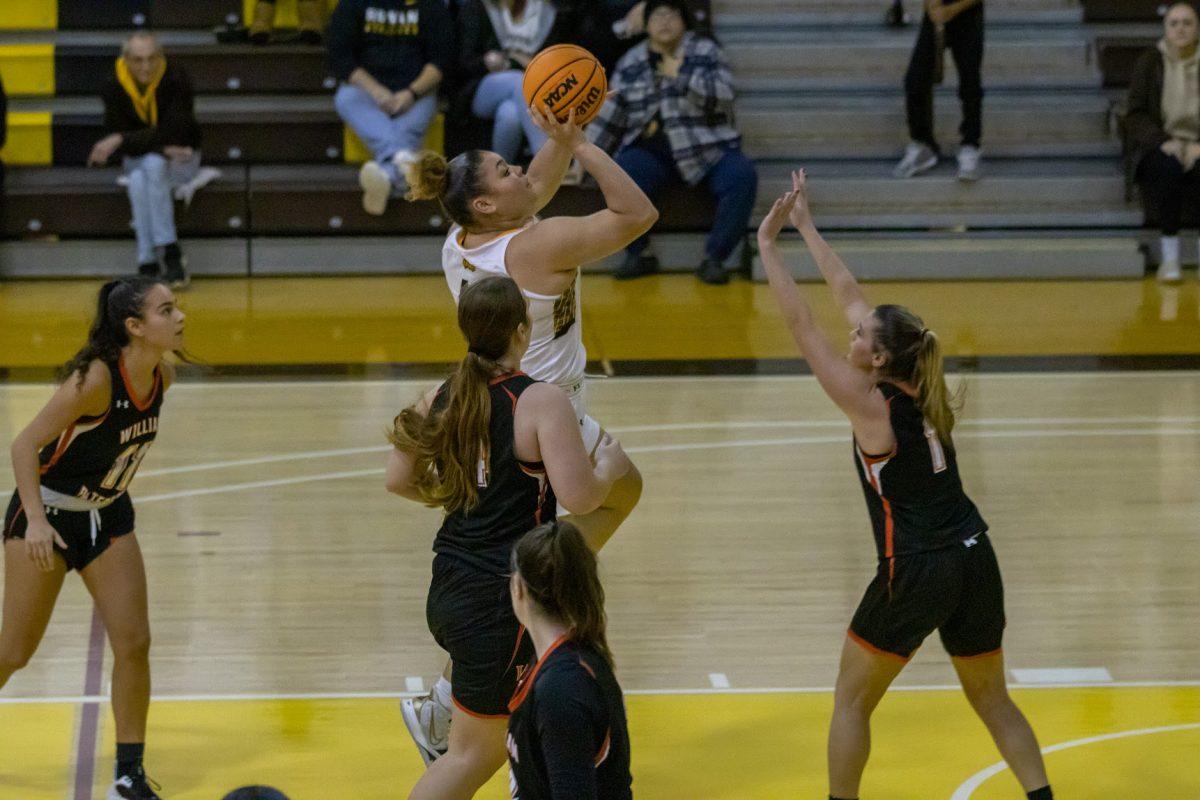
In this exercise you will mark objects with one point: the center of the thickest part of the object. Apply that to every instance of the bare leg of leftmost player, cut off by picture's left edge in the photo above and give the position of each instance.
(29, 597)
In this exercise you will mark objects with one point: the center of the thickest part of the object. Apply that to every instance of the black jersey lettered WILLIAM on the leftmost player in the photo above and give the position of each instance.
(97, 458)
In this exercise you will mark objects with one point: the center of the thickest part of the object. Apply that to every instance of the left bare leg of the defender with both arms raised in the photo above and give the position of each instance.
(863, 678)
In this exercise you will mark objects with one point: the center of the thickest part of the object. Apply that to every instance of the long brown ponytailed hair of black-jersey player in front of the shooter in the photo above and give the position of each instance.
(449, 444)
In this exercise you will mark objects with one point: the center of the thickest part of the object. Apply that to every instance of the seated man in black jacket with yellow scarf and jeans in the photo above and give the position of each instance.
(152, 125)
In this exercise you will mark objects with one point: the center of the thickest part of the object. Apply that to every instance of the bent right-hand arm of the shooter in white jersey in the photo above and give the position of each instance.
(565, 244)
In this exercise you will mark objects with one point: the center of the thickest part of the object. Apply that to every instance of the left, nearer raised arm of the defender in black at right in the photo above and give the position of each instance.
(851, 389)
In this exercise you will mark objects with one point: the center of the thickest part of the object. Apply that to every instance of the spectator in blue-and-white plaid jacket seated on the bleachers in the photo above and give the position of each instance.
(671, 117)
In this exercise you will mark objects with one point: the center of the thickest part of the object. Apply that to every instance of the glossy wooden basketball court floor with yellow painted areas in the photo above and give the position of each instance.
(287, 587)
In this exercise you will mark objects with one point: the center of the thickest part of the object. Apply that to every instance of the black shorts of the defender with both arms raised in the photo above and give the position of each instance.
(956, 591)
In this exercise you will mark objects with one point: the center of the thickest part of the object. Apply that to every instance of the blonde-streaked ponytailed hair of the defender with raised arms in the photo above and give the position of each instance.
(915, 357)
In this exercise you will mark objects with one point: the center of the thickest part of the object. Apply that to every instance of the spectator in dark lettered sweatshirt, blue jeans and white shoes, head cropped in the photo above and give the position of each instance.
(391, 56)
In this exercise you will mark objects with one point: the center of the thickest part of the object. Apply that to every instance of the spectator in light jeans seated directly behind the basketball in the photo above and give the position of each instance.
(499, 40)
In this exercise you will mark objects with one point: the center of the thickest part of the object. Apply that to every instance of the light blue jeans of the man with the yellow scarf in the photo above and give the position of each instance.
(149, 182)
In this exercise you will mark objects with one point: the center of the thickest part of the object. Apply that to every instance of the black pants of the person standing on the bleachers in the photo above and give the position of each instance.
(964, 38)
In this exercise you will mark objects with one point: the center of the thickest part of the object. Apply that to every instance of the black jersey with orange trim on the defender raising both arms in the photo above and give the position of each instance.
(914, 494)
